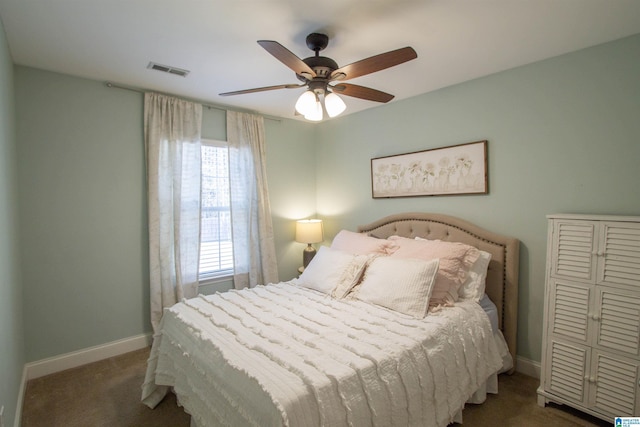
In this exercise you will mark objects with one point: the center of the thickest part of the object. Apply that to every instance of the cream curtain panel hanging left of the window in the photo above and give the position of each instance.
(172, 130)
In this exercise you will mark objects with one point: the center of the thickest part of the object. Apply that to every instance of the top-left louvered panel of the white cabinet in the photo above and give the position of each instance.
(573, 250)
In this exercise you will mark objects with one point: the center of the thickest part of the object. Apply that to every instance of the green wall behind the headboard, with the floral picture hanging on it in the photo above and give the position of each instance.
(563, 137)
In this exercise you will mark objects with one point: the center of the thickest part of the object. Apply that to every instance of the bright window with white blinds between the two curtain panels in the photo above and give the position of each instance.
(216, 250)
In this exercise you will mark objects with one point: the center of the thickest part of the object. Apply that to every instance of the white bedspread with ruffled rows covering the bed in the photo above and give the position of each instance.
(286, 355)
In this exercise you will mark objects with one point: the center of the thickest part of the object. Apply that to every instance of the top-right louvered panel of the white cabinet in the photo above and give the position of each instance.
(619, 255)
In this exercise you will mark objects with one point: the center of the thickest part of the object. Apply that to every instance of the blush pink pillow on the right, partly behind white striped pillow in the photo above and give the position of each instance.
(455, 261)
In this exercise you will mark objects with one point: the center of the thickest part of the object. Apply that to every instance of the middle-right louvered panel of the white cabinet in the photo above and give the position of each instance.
(618, 320)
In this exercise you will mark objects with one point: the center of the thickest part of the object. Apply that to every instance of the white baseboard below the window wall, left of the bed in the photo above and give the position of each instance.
(88, 355)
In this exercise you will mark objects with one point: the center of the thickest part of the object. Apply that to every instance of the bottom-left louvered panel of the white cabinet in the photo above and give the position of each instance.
(566, 373)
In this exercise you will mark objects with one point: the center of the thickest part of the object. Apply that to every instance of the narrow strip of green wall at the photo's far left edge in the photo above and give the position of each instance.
(12, 354)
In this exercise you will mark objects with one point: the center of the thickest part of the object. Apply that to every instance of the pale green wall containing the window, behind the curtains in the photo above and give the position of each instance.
(82, 198)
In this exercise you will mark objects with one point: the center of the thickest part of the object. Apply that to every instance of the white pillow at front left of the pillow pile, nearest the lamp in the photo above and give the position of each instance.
(333, 272)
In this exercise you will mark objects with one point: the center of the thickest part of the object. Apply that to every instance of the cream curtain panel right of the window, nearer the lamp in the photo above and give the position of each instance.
(253, 244)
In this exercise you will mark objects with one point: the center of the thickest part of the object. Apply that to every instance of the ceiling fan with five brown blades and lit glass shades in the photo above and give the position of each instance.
(323, 77)
